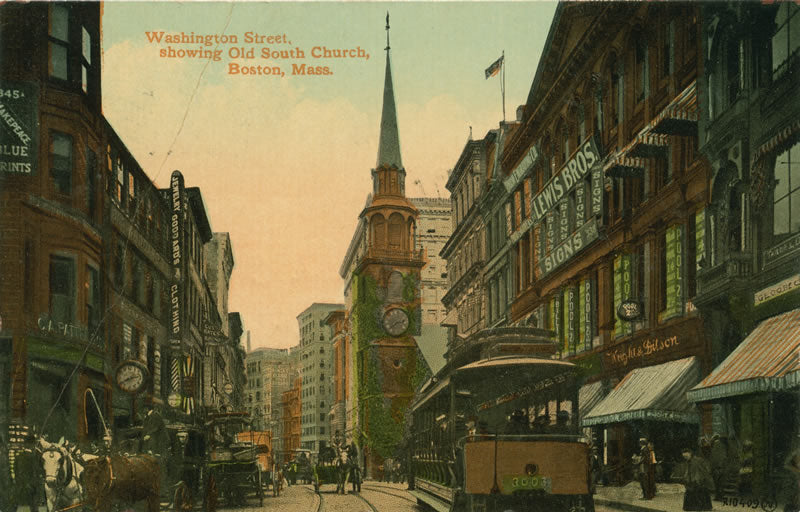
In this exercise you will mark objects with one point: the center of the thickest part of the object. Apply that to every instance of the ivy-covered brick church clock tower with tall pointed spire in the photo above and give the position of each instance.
(385, 299)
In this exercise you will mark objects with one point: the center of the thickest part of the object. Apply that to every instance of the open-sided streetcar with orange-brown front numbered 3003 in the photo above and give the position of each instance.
(497, 429)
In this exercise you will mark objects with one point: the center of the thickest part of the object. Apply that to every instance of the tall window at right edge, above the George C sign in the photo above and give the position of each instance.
(786, 194)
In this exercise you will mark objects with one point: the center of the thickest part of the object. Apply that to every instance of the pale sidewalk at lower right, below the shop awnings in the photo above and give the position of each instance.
(669, 498)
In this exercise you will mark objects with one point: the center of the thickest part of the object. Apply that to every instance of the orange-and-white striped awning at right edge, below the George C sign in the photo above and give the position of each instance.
(767, 360)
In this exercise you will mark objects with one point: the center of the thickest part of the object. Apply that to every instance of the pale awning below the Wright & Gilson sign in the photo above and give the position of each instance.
(652, 393)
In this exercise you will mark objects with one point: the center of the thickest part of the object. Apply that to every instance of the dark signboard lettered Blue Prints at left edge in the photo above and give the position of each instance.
(19, 135)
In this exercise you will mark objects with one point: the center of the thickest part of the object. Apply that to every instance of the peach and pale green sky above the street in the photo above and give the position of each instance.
(283, 162)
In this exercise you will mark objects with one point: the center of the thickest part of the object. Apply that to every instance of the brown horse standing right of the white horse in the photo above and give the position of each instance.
(118, 478)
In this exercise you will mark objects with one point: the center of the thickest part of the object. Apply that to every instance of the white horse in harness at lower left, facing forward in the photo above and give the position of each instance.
(62, 470)
